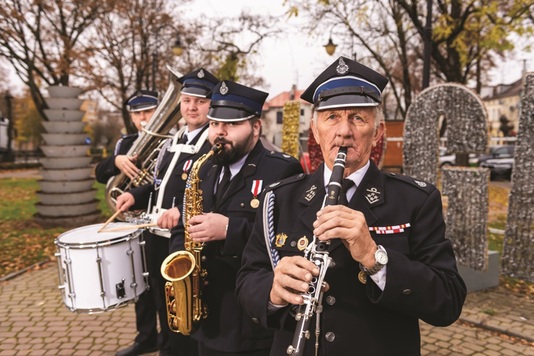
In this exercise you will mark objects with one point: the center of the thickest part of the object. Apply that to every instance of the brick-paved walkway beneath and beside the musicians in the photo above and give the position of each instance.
(34, 321)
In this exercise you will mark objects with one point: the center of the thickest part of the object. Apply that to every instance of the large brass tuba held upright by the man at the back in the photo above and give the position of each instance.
(149, 143)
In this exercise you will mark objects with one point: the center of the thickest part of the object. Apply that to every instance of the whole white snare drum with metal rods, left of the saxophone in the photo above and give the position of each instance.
(101, 271)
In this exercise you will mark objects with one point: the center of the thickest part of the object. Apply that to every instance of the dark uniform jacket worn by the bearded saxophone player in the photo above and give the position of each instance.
(227, 328)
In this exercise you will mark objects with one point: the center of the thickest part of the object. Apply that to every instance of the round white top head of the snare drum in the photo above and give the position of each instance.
(89, 234)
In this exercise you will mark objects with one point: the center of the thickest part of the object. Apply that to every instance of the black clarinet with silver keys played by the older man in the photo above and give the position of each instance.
(317, 252)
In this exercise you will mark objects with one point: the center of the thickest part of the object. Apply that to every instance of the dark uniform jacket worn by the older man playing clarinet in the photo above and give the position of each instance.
(422, 281)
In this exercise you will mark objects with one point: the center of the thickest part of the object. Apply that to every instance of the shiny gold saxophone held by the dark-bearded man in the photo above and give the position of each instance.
(182, 269)
